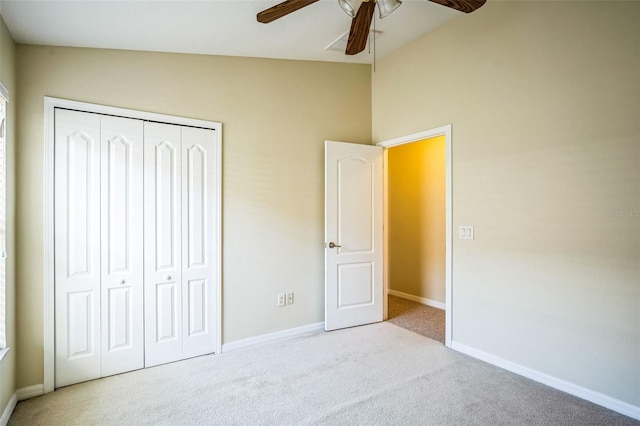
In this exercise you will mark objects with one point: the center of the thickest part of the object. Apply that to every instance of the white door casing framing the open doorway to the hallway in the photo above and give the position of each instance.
(416, 137)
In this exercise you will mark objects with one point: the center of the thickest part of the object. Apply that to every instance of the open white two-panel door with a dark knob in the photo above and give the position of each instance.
(353, 235)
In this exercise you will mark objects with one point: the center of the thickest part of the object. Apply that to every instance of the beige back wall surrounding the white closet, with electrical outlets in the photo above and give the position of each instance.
(276, 115)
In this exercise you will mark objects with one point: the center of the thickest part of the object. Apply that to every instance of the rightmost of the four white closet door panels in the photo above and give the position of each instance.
(198, 228)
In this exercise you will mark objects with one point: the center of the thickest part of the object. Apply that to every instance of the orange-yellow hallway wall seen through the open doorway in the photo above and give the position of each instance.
(417, 225)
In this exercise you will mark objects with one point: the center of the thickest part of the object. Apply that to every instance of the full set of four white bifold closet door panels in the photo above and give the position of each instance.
(136, 237)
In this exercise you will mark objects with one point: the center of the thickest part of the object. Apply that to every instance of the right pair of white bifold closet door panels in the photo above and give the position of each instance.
(179, 261)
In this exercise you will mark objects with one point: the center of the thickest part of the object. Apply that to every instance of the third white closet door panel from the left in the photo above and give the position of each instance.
(162, 211)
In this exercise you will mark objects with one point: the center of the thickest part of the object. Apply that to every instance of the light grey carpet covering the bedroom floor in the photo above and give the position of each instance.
(378, 374)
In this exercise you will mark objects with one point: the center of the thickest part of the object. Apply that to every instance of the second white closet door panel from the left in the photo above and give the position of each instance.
(122, 245)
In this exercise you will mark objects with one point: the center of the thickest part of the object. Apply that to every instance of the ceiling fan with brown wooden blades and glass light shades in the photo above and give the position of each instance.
(362, 13)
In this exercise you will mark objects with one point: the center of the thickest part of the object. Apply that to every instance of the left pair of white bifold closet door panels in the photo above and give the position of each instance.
(98, 249)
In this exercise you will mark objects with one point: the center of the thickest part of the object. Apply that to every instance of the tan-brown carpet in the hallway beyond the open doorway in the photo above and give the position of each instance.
(419, 318)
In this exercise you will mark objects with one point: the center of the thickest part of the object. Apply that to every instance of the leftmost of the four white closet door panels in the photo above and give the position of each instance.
(77, 247)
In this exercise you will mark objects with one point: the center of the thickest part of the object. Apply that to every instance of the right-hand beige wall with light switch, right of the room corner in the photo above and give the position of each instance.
(544, 102)
